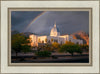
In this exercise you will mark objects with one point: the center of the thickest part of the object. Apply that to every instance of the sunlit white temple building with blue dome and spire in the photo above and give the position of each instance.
(54, 37)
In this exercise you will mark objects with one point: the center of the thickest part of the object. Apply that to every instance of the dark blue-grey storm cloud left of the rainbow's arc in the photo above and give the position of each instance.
(20, 19)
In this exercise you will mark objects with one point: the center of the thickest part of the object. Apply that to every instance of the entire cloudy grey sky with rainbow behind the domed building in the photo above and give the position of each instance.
(41, 22)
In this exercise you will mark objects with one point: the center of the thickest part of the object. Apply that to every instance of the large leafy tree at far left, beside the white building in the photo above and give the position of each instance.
(19, 42)
